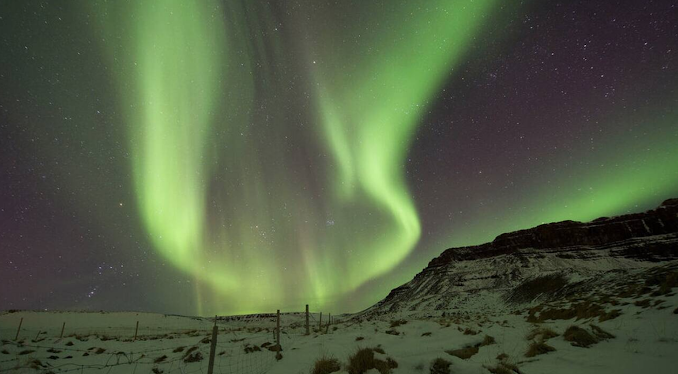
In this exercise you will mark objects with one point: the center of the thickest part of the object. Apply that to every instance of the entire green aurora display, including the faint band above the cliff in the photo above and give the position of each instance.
(268, 149)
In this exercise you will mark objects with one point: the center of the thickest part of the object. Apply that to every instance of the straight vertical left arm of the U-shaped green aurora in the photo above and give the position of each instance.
(179, 53)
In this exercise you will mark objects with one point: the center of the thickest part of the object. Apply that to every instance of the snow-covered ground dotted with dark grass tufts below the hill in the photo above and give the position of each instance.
(645, 337)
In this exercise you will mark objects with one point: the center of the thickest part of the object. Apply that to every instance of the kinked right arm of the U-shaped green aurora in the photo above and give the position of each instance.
(369, 112)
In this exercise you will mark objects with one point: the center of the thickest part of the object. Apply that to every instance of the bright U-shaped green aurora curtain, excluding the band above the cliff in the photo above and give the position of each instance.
(368, 113)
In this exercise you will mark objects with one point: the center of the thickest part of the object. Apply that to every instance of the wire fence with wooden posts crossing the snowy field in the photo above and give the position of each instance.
(245, 345)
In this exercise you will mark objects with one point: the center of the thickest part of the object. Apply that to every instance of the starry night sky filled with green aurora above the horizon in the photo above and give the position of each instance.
(228, 156)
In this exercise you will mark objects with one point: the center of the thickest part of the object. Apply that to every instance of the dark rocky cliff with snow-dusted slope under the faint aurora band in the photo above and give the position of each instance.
(459, 276)
